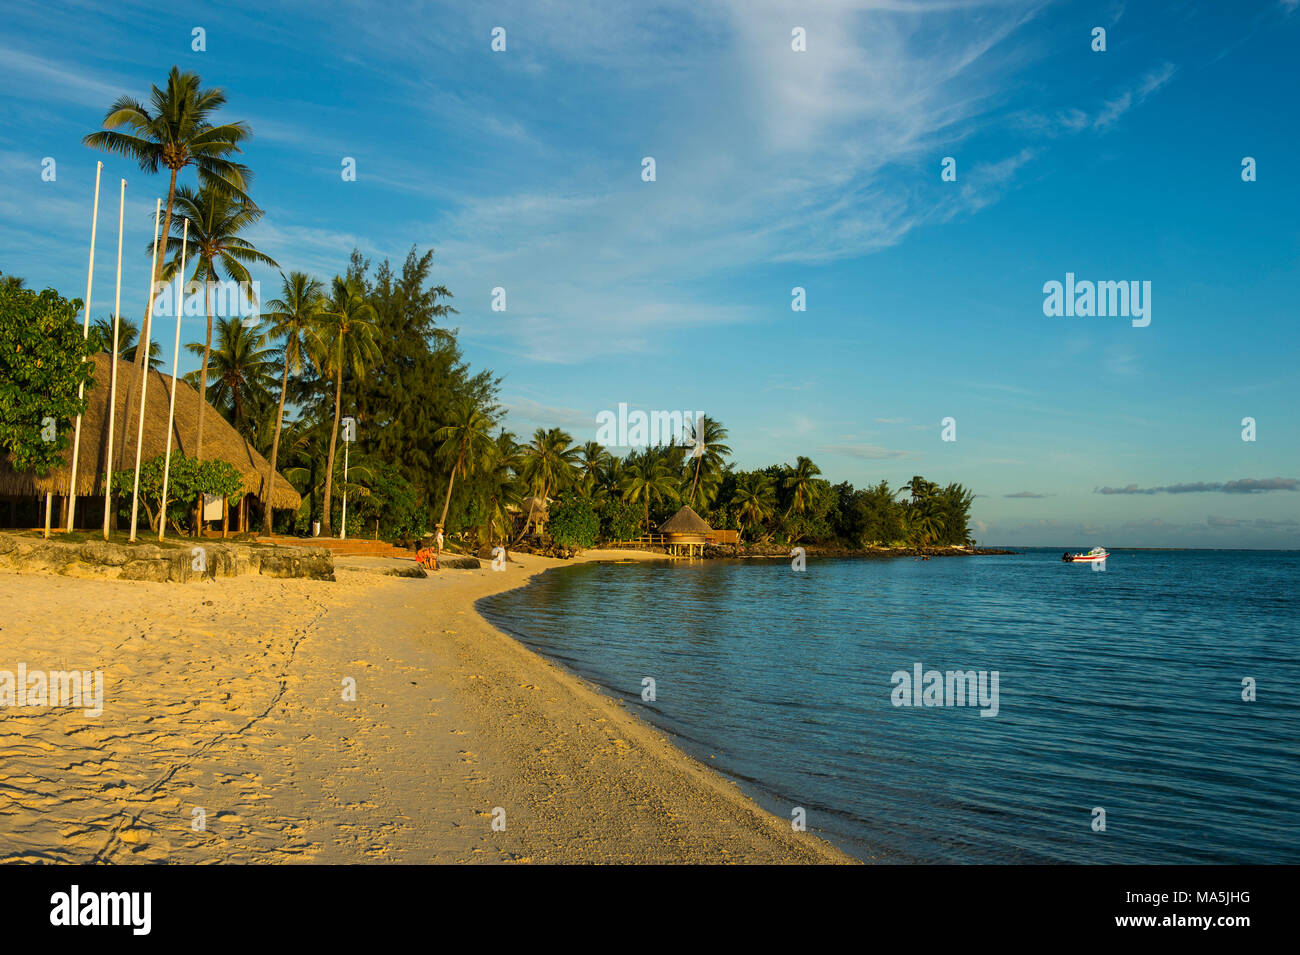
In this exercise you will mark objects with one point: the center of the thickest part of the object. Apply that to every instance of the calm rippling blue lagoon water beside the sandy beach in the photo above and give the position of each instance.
(1117, 691)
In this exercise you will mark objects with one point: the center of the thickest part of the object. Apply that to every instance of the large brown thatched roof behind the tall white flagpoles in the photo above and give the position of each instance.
(220, 441)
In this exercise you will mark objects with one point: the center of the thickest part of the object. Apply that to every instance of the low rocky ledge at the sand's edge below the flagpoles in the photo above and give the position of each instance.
(180, 562)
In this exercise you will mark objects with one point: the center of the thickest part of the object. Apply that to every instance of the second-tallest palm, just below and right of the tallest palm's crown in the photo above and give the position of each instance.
(214, 220)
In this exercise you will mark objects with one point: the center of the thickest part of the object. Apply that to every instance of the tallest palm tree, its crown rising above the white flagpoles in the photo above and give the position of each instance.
(176, 131)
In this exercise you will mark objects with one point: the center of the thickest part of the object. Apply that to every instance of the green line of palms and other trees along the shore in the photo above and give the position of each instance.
(431, 450)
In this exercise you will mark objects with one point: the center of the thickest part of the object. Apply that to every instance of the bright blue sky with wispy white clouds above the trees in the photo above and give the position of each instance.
(775, 170)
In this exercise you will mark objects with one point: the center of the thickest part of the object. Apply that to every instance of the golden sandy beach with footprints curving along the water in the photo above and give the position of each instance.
(227, 735)
